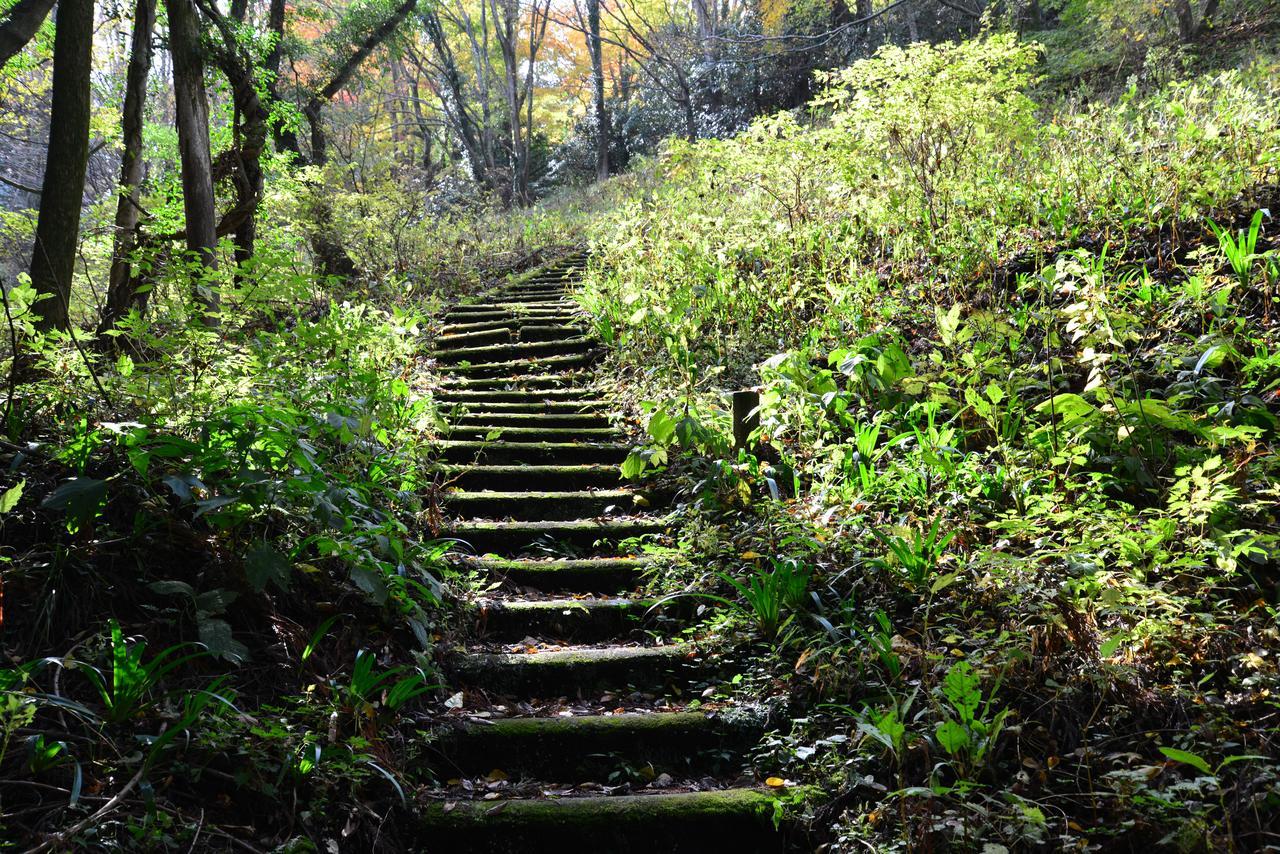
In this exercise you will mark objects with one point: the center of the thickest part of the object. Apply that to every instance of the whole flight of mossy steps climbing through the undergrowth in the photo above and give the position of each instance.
(575, 730)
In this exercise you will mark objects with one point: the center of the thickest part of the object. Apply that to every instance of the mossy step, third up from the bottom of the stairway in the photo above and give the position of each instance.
(578, 670)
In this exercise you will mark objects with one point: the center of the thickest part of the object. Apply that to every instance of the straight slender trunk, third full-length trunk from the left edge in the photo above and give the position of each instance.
(198, 172)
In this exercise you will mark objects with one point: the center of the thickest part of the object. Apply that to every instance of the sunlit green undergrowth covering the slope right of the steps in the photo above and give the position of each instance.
(1018, 368)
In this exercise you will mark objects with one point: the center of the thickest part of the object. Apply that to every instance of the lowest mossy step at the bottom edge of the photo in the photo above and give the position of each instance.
(698, 823)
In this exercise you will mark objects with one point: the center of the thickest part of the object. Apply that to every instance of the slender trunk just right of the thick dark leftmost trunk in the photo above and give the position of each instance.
(120, 291)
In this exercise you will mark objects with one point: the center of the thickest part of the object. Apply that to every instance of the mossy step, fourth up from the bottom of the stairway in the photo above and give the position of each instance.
(573, 620)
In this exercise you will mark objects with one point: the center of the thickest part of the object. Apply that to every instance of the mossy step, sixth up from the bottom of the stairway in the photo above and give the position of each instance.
(513, 538)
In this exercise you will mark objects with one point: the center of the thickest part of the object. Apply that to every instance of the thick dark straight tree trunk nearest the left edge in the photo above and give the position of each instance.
(62, 197)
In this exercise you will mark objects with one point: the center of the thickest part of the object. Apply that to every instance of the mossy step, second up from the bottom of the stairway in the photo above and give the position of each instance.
(687, 745)
